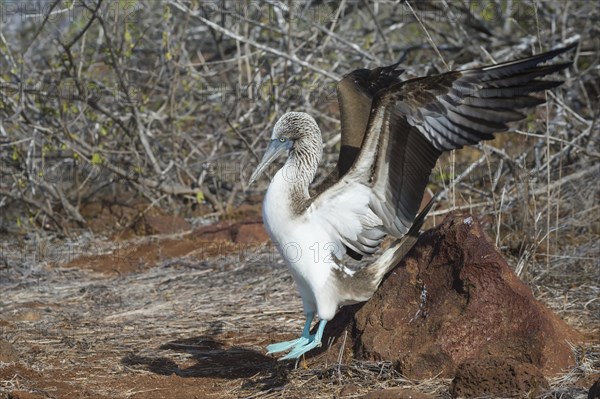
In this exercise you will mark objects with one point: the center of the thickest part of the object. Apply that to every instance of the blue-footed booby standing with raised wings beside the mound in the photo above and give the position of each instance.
(393, 132)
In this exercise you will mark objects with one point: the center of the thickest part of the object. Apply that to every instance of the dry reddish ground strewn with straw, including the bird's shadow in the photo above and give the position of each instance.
(191, 325)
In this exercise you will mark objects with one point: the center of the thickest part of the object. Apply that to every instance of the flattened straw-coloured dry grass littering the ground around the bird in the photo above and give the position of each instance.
(201, 321)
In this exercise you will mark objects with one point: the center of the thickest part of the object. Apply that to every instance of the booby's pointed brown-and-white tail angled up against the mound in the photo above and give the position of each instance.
(363, 284)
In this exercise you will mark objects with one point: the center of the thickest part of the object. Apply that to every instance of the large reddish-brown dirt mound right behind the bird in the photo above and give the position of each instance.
(454, 299)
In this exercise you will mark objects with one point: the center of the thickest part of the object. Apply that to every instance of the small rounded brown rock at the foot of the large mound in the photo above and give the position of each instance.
(497, 377)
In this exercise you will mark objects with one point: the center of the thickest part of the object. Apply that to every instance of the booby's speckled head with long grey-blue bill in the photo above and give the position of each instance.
(290, 128)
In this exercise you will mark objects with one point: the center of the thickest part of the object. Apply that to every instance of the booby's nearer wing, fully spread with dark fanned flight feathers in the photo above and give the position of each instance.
(413, 122)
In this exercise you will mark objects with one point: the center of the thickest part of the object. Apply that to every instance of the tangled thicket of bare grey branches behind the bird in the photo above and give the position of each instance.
(171, 103)
